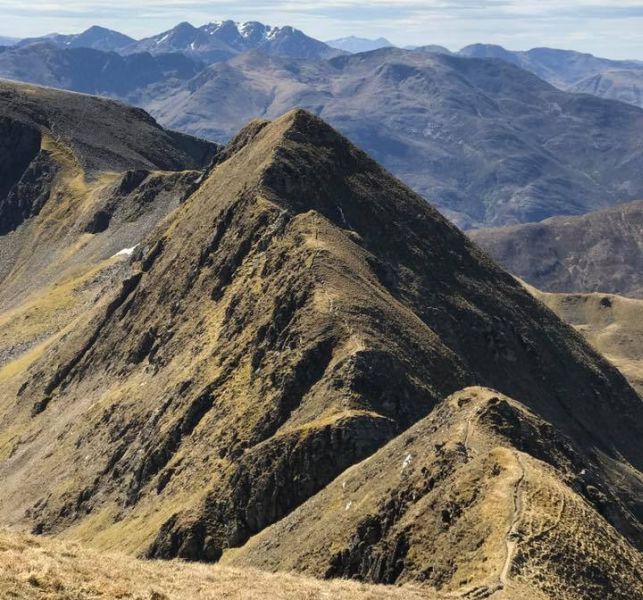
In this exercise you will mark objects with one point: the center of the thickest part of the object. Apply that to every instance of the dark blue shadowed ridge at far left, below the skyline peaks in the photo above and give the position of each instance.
(94, 72)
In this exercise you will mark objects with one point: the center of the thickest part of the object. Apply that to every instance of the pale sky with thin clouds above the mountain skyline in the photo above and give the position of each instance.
(610, 28)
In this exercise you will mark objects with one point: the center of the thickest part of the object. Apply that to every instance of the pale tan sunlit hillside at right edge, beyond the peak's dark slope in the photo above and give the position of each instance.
(611, 324)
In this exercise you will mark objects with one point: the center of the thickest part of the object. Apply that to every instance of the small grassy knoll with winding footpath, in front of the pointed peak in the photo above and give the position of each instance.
(481, 496)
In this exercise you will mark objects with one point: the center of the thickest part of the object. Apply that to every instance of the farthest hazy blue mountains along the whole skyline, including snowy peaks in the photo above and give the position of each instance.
(220, 40)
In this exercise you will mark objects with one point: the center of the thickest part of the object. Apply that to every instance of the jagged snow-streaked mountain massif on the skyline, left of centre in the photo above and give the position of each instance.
(222, 39)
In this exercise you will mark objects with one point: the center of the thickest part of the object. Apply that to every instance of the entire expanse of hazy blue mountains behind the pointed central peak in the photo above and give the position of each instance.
(483, 139)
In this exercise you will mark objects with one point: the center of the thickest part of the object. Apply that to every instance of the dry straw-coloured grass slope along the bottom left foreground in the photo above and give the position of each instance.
(42, 568)
